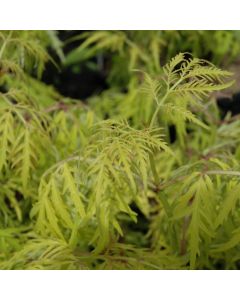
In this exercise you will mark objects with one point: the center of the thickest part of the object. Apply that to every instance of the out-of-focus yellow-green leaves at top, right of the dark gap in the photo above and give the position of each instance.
(124, 51)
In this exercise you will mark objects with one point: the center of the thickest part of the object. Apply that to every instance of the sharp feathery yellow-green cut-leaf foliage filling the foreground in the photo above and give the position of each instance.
(77, 178)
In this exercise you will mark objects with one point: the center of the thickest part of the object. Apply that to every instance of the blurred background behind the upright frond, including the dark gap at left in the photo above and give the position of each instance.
(107, 59)
